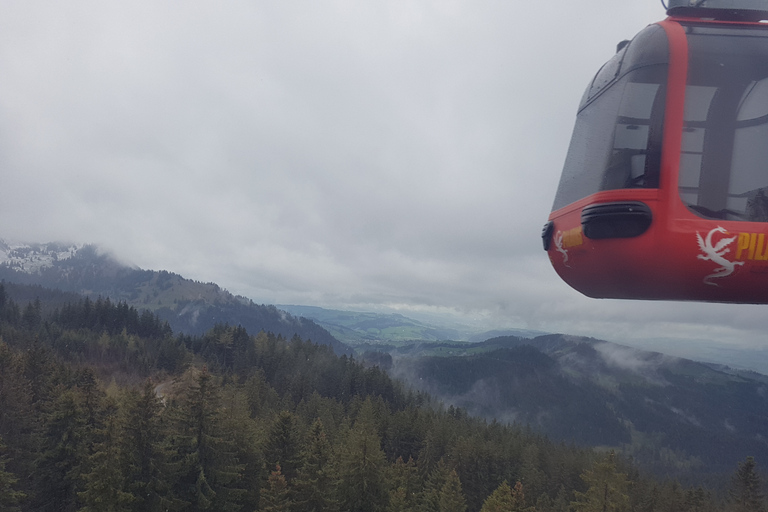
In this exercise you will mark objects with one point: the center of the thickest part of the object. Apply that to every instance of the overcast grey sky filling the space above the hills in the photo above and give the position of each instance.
(352, 154)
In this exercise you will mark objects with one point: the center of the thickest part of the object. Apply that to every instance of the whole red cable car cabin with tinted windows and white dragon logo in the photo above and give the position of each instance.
(664, 192)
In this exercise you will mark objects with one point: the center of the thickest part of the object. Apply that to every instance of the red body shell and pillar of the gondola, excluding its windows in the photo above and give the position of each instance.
(681, 256)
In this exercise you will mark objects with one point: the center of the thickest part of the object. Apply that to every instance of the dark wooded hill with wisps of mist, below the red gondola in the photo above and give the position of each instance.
(673, 415)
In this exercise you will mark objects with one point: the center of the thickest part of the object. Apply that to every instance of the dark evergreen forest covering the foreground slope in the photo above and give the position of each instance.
(103, 407)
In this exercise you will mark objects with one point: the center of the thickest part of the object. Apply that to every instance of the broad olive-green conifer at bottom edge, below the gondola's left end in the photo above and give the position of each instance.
(607, 488)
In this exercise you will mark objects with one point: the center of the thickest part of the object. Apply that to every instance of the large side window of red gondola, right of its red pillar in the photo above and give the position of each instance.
(724, 152)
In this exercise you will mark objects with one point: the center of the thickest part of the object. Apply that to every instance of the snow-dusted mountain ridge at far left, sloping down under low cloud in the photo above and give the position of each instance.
(188, 306)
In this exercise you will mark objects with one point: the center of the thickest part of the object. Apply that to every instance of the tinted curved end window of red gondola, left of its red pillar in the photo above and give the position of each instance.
(617, 139)
